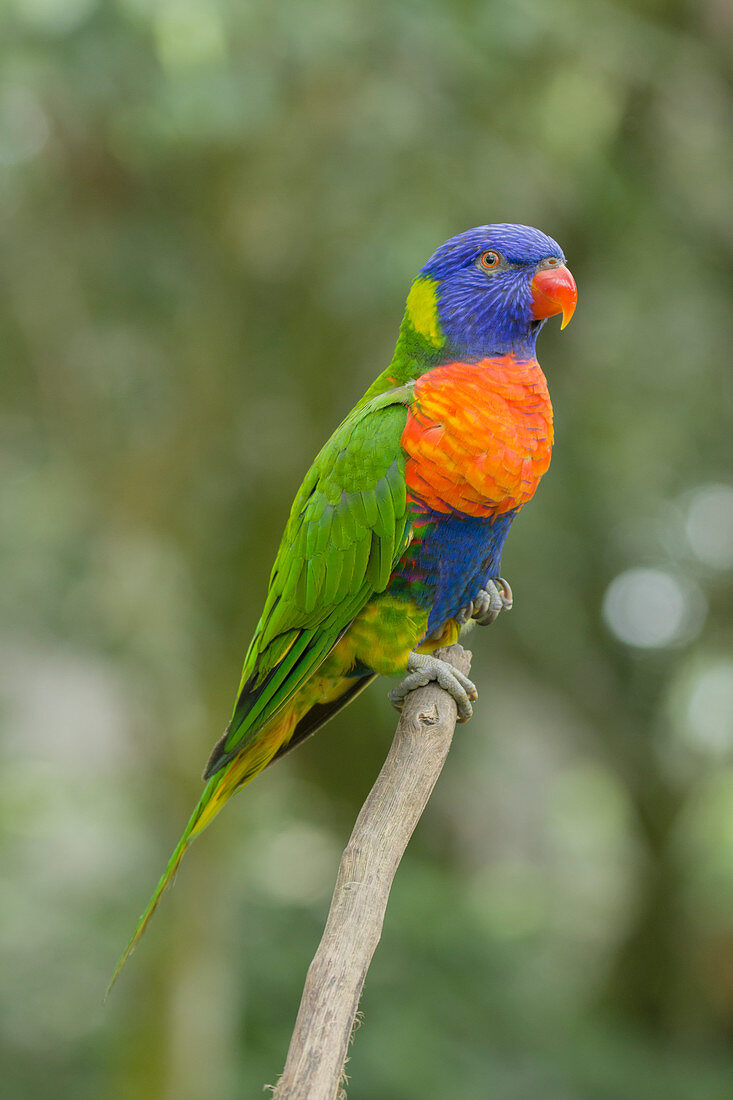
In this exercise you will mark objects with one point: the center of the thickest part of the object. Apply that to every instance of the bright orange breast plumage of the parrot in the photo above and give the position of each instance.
(479, 436)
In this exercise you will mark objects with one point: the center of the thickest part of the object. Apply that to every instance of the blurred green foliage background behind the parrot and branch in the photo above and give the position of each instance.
(212, 212)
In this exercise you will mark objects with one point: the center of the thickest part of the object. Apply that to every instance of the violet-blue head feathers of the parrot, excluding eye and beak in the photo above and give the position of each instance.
(489, 313)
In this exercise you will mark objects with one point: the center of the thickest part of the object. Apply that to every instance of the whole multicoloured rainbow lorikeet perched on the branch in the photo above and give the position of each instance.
(396, 537)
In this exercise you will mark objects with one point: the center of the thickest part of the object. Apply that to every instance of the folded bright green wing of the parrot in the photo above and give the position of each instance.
(348, 527)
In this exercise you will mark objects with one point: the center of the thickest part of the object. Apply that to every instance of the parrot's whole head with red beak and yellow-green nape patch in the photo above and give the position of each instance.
(490, 290)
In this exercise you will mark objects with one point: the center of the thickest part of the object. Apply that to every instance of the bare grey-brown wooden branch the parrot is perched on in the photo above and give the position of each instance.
(388, 819)
